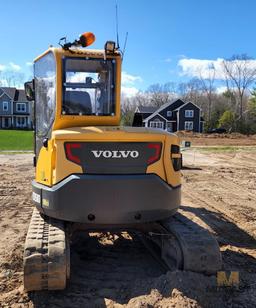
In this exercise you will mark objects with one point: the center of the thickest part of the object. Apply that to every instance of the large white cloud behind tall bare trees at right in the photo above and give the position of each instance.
(203, 68)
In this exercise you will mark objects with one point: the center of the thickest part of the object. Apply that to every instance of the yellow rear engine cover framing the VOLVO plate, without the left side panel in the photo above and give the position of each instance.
(108, 134)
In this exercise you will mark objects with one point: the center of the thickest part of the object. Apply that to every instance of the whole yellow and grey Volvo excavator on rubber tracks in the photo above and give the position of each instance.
(92, 174)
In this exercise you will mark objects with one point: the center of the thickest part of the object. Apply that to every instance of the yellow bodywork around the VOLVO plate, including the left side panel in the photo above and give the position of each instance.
(53, 166)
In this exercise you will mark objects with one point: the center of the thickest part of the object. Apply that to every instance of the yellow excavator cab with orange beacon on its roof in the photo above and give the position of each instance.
(74, 88)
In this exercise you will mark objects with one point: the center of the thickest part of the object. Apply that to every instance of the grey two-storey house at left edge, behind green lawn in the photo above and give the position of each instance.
(15, 110)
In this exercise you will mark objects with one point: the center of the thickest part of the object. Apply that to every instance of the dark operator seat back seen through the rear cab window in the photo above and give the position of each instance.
(77, 102)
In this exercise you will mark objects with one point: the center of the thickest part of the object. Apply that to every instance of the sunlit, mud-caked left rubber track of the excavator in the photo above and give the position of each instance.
(46, 255)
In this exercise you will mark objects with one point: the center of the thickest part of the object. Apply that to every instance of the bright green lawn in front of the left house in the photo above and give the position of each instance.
(16, 140)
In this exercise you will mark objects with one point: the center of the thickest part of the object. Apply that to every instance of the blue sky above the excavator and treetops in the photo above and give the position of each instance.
(161, 33)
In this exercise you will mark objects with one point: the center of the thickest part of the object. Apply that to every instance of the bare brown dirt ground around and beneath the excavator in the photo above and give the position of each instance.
(114, 270)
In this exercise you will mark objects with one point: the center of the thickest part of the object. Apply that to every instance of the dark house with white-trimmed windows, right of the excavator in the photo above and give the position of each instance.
(172, 116)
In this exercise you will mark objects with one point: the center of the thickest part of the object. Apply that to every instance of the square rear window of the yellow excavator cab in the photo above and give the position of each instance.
(88, 87)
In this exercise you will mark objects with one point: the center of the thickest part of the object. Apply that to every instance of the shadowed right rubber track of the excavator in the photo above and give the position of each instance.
(199, 248)
